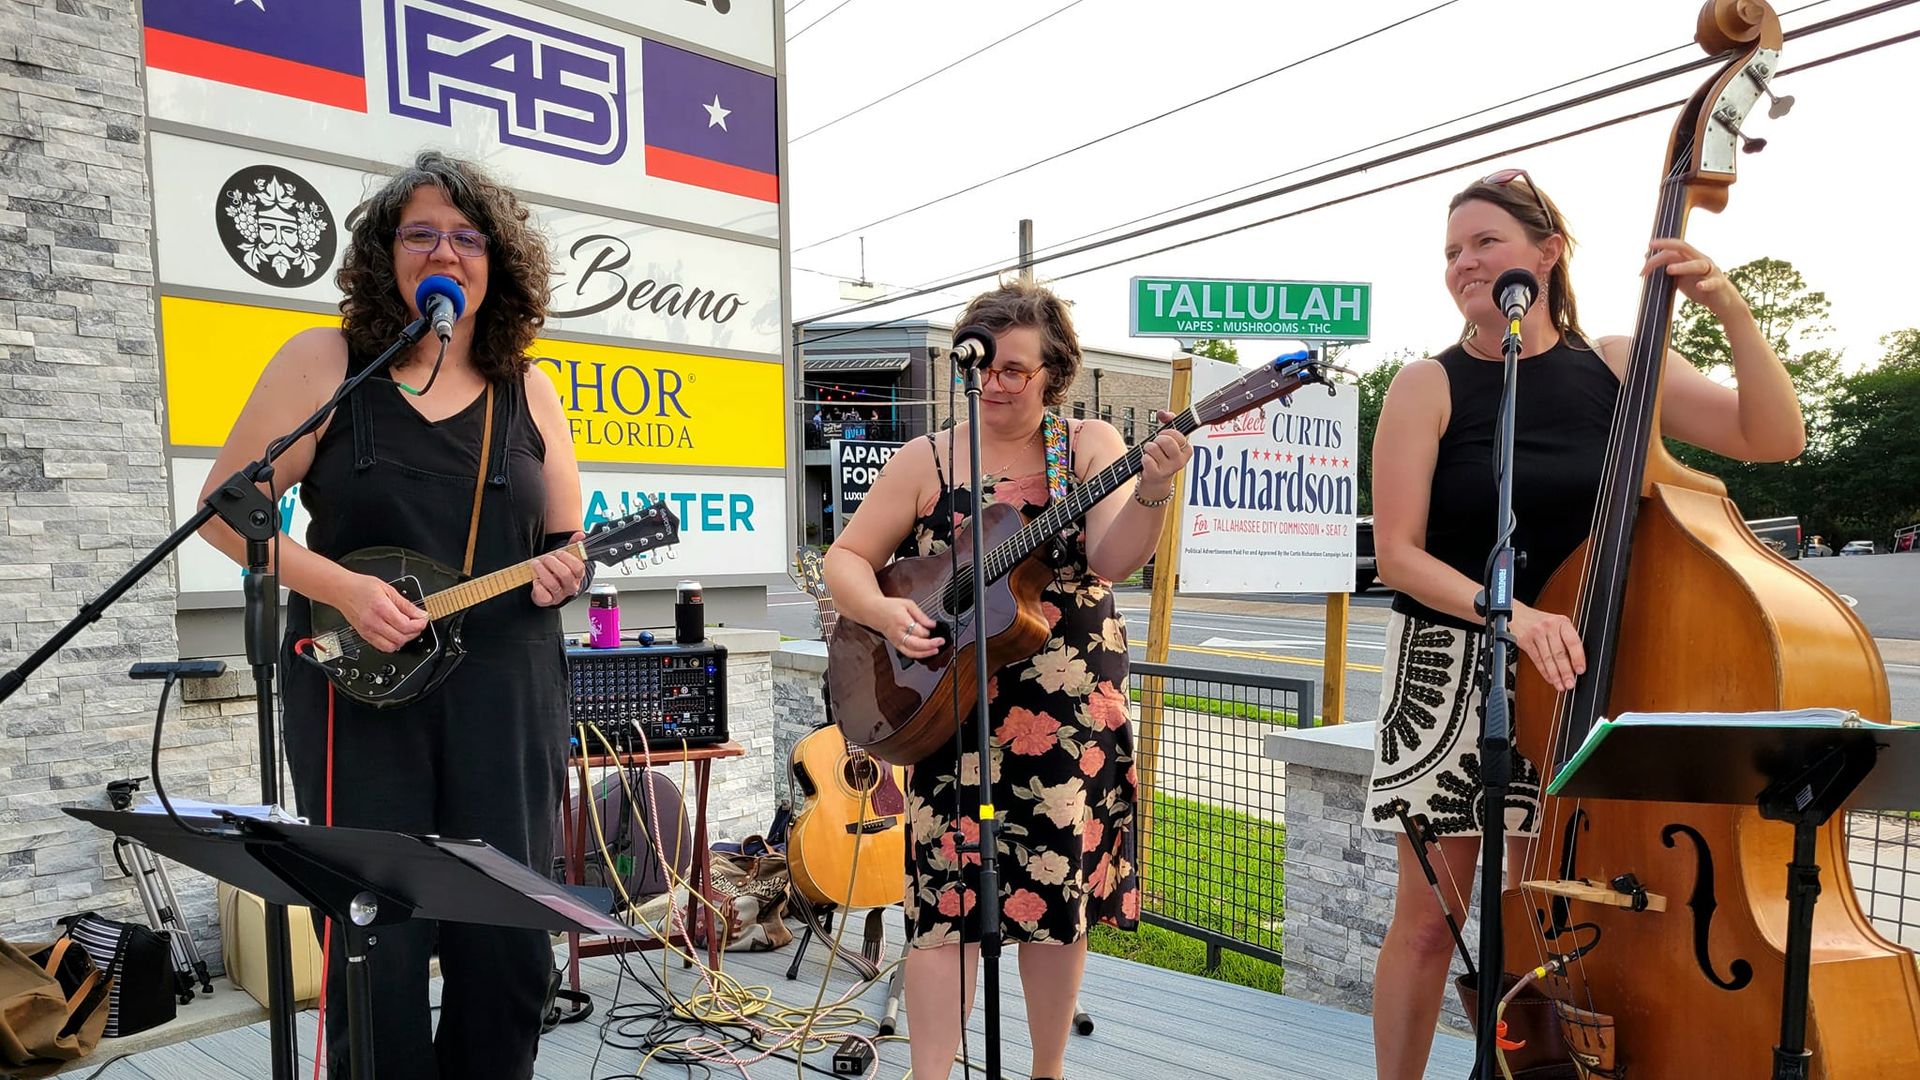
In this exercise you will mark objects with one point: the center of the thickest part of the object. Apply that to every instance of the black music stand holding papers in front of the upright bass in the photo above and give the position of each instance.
(1798, 768)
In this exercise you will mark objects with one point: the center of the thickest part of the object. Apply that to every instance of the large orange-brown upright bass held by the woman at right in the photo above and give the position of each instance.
(1681, 608)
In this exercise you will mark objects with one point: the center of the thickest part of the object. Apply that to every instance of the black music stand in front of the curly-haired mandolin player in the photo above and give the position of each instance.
(364, 879)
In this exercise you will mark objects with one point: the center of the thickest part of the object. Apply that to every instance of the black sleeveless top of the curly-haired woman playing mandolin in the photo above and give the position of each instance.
(385, 476)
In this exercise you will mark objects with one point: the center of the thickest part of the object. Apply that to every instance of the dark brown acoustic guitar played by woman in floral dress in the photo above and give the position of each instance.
(901, 708)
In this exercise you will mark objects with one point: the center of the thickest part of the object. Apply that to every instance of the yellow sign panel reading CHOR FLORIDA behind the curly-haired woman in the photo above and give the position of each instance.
(625, 405)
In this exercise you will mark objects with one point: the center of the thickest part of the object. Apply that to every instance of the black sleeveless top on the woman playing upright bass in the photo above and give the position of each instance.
(1564, 414)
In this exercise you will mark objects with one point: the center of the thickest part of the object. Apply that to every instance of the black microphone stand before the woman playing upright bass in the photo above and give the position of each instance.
(1497, 735)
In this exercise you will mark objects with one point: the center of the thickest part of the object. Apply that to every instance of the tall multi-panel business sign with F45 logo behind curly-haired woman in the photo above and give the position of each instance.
(654, 168)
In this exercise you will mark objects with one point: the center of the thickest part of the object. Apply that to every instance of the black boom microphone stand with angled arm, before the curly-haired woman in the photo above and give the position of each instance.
(247, 510)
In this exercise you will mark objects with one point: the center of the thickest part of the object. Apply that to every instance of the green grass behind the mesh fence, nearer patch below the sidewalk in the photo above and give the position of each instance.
(1216, 870)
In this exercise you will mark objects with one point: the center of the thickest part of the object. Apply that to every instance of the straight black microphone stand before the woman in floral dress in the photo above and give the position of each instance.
(990, 825)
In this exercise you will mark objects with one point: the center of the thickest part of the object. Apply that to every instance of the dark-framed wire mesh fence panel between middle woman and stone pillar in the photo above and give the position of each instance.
(1212, 804)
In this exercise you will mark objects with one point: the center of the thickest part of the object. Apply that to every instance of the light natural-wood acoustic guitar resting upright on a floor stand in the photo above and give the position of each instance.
(848, 798)
